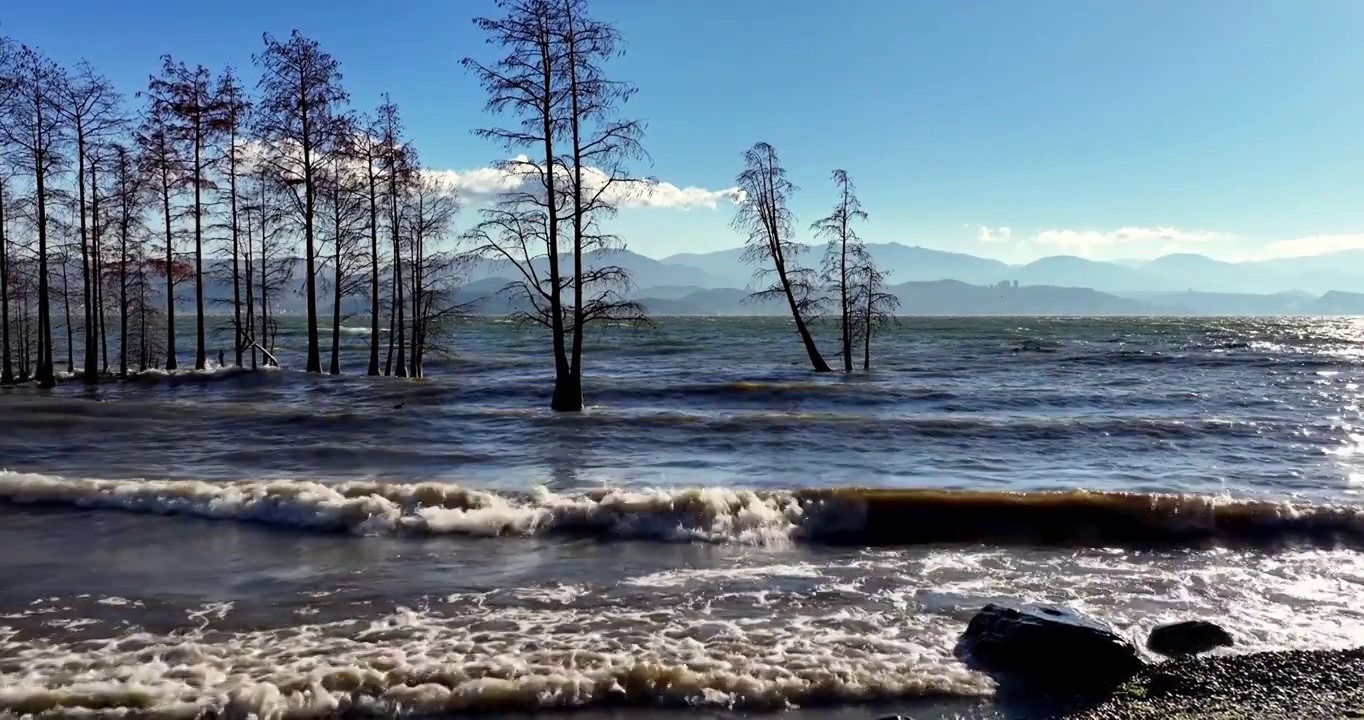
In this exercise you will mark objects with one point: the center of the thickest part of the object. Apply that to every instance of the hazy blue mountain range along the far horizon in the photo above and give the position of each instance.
(939, 283)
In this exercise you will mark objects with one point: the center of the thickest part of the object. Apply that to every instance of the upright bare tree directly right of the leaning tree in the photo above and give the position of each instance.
(842, 256)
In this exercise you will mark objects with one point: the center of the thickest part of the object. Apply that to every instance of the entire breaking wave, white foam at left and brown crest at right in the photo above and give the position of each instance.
(765, 517)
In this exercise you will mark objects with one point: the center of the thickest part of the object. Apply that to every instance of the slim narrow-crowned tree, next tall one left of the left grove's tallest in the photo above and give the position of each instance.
(234, 111)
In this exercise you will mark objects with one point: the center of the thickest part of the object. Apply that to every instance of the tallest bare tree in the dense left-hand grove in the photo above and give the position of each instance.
(301, 102)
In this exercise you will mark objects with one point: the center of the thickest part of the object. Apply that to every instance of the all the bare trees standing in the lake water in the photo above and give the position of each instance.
(119, 209)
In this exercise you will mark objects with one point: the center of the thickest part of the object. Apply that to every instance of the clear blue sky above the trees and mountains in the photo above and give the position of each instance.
(1108, 129)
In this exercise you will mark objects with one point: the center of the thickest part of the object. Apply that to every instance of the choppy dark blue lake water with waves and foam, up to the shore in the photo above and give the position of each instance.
(695, 543)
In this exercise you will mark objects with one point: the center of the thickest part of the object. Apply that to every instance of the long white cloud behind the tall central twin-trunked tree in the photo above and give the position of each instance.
(485, 185)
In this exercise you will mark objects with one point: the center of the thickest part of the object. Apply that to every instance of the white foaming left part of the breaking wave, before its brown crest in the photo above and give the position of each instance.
(366, 508)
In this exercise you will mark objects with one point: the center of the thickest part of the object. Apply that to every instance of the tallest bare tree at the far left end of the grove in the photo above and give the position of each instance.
(33, 137)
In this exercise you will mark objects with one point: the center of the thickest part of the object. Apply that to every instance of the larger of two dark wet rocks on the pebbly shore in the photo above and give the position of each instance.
(1048, 650)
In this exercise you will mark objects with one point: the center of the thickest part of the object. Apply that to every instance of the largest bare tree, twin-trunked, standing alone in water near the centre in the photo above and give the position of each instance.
(553, 81)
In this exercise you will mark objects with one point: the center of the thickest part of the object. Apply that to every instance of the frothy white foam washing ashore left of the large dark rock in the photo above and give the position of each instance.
(471, 657)
